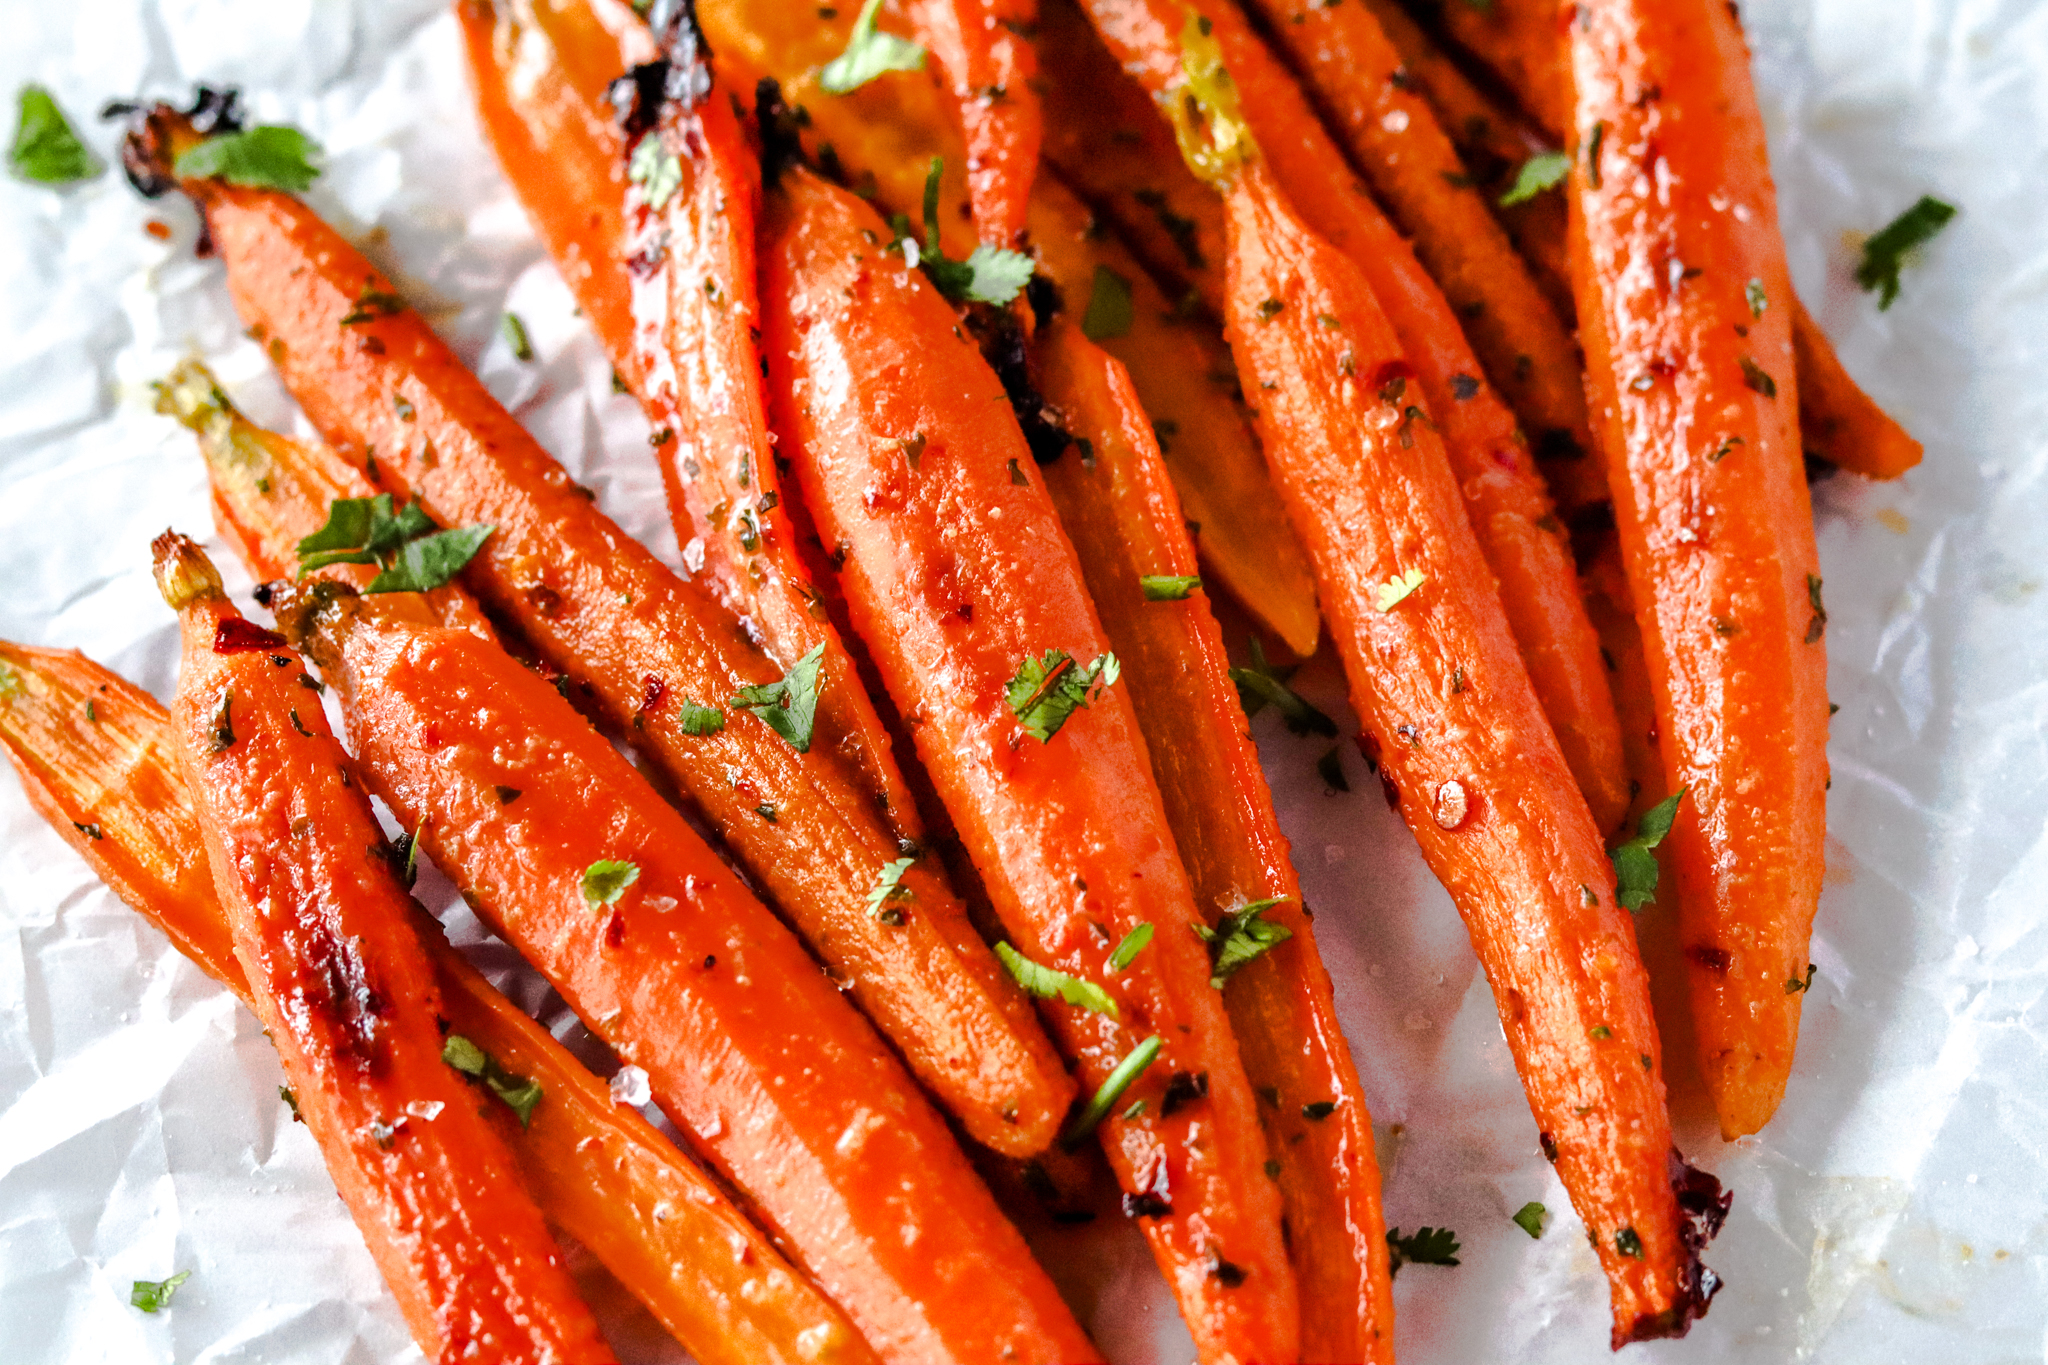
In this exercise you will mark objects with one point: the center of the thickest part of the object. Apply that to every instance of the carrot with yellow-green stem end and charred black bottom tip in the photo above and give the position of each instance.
(1463, 744)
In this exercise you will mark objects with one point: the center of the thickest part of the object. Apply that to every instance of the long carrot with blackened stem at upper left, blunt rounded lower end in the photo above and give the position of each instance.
(650, 650)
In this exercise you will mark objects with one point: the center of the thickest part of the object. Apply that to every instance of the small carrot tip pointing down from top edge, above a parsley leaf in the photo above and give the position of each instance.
(990, 69)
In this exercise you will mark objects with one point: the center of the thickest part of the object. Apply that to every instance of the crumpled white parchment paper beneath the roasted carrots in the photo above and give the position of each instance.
(1895, 1208)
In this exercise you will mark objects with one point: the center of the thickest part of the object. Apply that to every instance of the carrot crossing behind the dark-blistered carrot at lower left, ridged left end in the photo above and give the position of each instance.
(110, 785)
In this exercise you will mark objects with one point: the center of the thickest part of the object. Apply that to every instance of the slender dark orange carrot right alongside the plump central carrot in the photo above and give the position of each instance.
(1123, 519)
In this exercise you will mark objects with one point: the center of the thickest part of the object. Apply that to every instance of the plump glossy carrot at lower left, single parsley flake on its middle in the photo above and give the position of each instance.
(667, 957)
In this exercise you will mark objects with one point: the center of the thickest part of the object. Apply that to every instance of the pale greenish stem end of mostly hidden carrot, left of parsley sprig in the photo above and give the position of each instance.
(271, 492)
